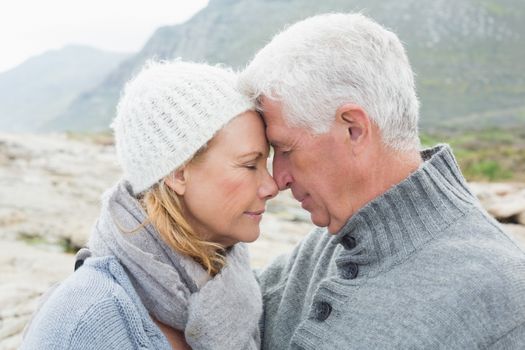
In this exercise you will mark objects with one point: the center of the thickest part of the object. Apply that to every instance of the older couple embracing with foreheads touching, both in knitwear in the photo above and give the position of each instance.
(403, 257)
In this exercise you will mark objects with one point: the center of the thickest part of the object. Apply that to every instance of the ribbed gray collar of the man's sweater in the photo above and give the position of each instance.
(407, 216)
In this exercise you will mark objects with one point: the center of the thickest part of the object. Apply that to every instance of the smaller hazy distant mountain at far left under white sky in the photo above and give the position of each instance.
(42, 87)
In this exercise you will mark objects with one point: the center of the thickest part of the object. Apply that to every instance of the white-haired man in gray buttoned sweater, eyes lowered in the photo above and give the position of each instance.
(407, 258)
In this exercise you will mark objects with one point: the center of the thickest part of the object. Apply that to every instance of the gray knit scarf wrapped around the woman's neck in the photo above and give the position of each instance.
(215, 313)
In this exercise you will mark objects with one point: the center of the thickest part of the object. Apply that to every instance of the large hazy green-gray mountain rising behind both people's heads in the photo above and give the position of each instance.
(468, 55)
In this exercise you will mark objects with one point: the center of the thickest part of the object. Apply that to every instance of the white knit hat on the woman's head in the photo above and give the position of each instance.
(167, 113)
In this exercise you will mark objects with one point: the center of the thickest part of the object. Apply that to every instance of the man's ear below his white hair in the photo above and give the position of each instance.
(356, 123)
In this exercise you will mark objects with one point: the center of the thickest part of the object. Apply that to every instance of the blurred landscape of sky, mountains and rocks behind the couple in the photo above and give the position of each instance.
(64, 63)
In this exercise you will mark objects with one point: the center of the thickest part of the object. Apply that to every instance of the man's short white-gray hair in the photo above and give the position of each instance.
(321, 63)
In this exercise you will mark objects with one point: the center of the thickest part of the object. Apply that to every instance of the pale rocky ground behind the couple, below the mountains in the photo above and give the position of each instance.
(49, 197)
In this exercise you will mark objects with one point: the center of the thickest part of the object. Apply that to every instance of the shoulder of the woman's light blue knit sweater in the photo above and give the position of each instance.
(92, 305)
